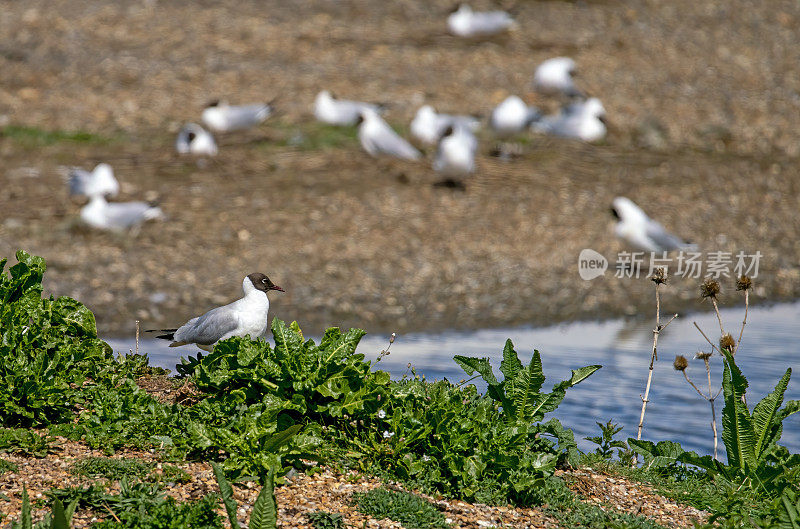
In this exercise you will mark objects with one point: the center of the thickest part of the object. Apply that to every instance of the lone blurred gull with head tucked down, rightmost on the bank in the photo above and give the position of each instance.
(642, 232)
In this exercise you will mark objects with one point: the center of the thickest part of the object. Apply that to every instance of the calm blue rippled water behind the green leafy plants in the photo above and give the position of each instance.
(622, 347)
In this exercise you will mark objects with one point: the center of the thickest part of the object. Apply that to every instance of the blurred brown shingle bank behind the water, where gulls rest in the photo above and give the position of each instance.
(703, 137)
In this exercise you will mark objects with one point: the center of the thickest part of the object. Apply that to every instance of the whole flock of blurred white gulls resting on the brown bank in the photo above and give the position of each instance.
(454, 136)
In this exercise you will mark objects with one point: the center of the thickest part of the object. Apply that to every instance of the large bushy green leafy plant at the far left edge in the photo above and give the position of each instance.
(48, 347)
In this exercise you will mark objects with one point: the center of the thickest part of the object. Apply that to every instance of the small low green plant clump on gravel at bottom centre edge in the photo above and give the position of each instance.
(409, 509)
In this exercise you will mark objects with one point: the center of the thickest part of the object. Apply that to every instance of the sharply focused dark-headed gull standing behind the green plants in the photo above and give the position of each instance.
(245, 316)
